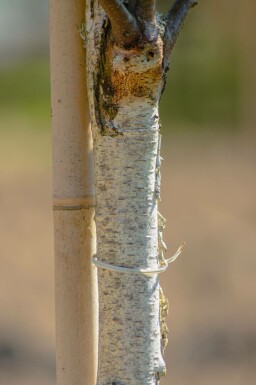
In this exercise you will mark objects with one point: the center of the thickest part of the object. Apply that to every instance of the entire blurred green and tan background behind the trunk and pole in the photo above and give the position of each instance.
(208, 196)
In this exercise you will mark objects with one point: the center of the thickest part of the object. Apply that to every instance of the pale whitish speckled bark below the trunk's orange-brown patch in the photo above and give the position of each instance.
(126, 218)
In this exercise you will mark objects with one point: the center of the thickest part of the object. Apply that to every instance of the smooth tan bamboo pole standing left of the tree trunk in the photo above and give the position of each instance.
(73, 200)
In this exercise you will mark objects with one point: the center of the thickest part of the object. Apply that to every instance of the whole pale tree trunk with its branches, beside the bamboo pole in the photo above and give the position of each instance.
(128, 49)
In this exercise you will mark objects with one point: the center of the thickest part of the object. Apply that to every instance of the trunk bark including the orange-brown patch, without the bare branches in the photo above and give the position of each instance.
(126, 153)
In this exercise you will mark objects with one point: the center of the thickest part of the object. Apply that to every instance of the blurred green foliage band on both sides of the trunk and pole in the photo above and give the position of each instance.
(203, 89)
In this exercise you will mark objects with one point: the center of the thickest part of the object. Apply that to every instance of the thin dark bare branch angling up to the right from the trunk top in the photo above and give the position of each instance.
(175, 20)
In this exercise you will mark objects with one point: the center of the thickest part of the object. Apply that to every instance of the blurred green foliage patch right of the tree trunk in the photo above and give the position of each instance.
(204, 84)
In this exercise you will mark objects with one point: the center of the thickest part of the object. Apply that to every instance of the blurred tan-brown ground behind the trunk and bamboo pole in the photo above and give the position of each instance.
(208, 198)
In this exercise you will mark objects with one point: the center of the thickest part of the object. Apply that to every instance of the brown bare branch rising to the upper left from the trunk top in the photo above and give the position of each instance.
(124, 25)
